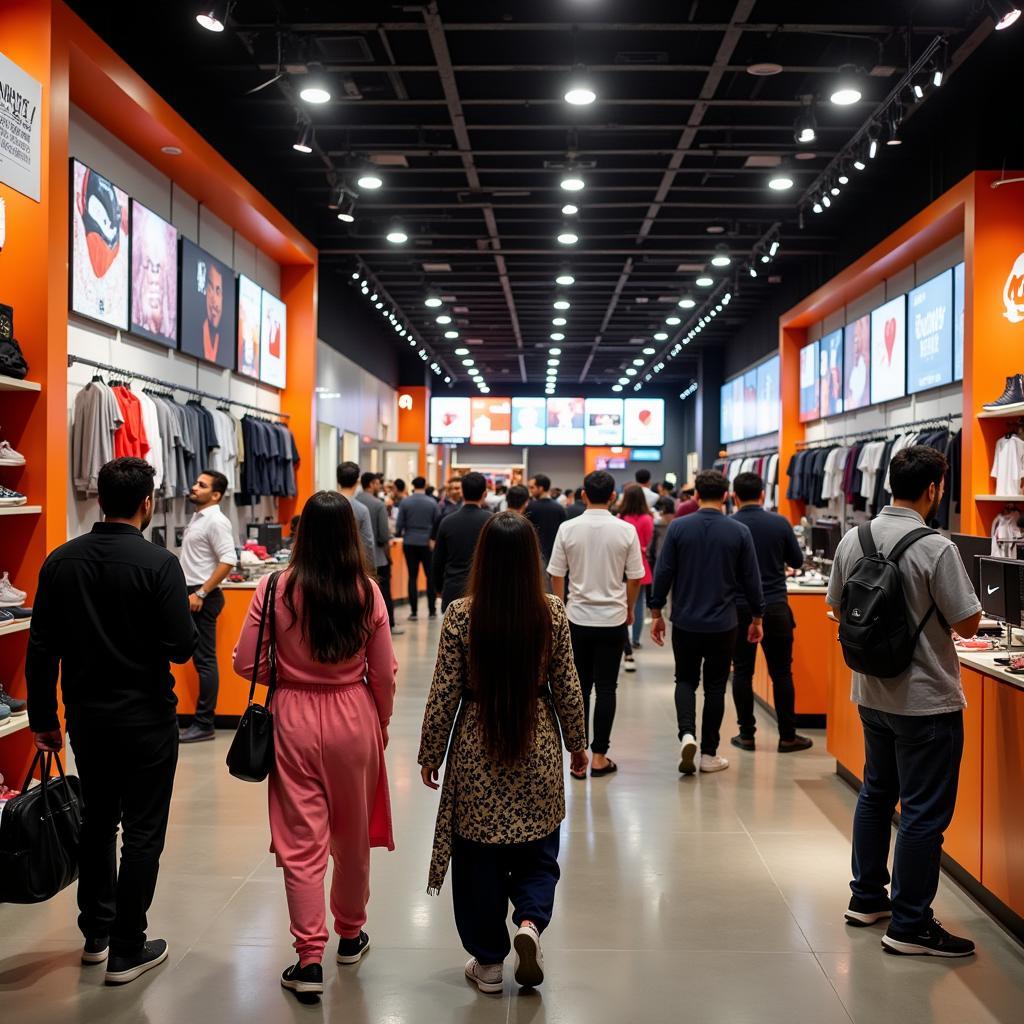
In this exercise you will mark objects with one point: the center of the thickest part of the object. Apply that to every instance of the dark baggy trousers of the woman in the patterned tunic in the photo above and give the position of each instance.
(487, 876)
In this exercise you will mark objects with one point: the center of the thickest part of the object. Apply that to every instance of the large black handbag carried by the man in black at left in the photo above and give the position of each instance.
(40, 833)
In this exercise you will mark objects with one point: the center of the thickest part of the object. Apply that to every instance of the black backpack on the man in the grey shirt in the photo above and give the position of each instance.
(875, 631)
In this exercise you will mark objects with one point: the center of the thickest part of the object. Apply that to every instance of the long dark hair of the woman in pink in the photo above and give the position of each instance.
(329, 570)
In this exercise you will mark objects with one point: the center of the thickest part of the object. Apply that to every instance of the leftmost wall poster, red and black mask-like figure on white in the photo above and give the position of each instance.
(99, 248)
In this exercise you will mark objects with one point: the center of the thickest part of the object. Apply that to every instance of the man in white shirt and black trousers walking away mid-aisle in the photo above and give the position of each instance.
(602, 557)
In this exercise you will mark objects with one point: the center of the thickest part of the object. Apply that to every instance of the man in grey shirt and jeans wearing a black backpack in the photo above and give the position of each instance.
(900, 589)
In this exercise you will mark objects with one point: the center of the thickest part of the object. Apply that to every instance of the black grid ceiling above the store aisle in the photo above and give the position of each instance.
(460, 103)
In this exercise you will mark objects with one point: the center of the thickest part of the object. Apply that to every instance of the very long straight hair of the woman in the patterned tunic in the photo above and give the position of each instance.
(509, 634)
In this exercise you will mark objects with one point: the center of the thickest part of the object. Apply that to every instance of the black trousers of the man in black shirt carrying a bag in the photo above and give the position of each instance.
(127, 776)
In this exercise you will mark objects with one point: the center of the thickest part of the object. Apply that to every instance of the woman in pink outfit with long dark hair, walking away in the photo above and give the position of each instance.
(328, 790)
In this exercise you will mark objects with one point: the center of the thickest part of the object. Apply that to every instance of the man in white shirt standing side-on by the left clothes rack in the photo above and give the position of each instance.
(207, 557)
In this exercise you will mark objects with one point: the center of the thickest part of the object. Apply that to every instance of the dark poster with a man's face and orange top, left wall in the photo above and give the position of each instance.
(206, 313)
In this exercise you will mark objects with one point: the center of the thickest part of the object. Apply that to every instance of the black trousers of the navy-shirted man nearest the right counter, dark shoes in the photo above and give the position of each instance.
(778, 646)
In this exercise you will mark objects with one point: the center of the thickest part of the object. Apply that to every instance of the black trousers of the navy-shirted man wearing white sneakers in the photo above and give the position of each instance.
(713, 652)
